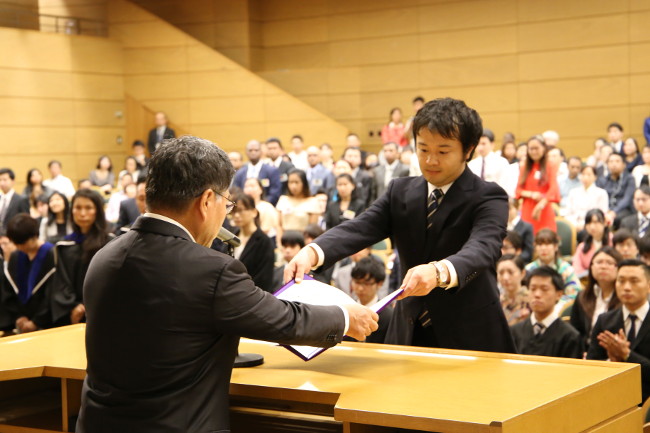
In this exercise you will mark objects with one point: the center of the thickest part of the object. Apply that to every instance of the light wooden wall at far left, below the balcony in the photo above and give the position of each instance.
(58, 98)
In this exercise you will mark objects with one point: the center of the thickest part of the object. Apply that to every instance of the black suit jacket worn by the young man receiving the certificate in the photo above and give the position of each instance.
(468, 230)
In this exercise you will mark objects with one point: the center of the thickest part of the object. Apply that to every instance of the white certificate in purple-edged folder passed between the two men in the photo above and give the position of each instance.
(313, 292)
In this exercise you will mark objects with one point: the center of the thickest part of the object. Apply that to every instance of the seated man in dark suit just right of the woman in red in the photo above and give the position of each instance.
(619, 185)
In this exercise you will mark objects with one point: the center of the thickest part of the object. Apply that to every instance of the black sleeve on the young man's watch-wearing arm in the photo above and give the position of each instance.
(483, 247)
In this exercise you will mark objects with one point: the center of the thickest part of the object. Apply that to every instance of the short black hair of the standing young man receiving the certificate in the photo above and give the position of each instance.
(452, 119)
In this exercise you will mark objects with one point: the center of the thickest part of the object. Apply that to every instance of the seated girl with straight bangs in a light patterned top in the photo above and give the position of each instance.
(547, 248)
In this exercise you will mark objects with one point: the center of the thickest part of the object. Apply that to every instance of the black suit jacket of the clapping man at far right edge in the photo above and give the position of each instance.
(640, 347)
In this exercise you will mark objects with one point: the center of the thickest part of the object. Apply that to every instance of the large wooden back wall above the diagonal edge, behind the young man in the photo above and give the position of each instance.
(526, 65)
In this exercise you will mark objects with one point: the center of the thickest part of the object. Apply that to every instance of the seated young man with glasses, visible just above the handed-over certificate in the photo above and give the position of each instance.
(368, 276)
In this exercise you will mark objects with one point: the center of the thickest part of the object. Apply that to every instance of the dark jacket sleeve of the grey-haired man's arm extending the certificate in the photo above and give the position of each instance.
(242, 309)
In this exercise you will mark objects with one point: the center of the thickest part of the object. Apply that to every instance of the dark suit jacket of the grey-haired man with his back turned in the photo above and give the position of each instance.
(164, 316)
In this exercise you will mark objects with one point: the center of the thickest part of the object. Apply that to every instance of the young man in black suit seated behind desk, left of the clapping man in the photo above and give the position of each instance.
(545, 333)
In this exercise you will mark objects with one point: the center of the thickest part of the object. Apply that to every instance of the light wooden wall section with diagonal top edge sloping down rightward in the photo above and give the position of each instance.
(202, 91)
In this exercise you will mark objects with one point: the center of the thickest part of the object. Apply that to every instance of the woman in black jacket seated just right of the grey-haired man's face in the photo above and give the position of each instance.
(256, 249)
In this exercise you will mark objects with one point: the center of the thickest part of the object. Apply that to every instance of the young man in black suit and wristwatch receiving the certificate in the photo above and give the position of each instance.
(448, 226)
